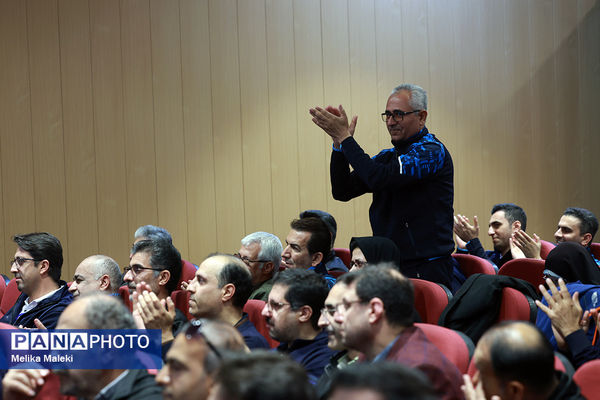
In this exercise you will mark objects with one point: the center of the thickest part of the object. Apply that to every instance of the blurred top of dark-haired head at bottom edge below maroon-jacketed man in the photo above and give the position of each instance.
(381, 381)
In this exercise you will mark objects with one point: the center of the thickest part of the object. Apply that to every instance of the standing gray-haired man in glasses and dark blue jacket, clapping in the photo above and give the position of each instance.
(412, 183)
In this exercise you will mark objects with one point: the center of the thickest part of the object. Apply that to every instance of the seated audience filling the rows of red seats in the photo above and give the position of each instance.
(329, 322)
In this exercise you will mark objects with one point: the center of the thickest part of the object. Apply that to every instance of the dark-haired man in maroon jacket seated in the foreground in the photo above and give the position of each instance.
(376, 315)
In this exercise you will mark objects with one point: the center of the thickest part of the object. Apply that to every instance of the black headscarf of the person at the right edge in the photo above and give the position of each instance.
(573, 262)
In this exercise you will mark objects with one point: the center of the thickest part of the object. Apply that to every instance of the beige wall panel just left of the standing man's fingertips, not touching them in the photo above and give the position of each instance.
(282, 114)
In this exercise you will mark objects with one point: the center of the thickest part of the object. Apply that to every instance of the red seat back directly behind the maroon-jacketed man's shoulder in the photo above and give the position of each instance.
(457, 349)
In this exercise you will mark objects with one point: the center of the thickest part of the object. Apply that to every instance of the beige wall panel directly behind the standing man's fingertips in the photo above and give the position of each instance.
(312, 145)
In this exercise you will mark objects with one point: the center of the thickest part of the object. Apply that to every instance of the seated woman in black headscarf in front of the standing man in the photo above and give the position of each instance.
(373, 250)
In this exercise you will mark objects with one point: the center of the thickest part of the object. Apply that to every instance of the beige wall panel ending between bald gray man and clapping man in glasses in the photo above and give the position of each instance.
(111, 175)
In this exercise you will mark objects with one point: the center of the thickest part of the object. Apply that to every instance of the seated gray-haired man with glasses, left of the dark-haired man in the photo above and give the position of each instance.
(261, 252)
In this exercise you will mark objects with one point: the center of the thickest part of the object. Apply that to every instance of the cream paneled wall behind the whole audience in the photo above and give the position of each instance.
(193, 114)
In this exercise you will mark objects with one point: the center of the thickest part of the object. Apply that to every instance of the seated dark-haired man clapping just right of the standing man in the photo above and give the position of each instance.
(506, 228)
